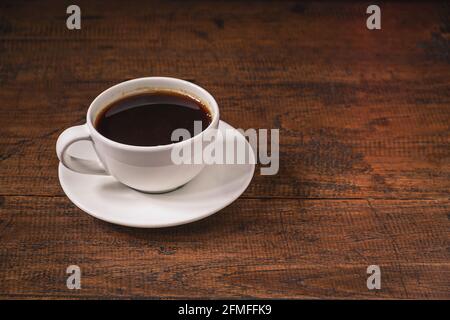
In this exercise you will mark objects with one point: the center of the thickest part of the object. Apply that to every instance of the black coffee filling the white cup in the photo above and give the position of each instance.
(149, 119)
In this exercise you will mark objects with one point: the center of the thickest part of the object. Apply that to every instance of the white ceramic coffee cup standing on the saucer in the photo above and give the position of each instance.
(148, 169)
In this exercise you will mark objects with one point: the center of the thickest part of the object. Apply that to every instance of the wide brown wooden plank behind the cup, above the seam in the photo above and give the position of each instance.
(361, 114)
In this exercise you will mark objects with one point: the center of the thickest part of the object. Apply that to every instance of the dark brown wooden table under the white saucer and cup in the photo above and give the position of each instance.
(364, 119)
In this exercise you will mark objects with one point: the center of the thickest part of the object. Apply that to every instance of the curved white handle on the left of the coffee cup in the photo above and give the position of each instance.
(72, 135)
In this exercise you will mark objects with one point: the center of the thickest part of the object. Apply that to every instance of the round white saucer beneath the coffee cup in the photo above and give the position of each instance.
(104, 198)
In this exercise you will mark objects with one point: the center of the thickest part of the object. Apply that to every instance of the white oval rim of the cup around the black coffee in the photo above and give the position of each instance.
(185, 84)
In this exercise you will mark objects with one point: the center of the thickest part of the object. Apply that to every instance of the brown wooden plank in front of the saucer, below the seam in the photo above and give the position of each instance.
(253, 248)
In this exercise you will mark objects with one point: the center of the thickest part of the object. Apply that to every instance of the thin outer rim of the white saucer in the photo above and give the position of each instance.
(156, 225)
